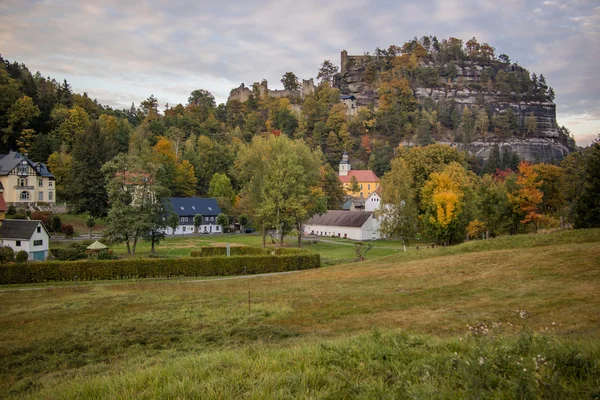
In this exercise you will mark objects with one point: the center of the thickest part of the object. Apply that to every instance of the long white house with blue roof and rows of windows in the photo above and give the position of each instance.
(187, 207)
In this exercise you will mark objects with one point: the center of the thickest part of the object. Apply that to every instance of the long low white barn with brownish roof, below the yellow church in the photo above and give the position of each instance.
(355, 225)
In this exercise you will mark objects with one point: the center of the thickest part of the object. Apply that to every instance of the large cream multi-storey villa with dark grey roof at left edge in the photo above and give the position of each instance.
(24, 182)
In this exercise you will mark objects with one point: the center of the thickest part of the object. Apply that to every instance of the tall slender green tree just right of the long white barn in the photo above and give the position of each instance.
(398, 212)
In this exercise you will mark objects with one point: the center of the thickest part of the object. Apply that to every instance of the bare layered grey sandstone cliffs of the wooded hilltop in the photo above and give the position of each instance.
(499, 87)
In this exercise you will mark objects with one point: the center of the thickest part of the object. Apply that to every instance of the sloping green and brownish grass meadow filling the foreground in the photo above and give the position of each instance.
(394, 326)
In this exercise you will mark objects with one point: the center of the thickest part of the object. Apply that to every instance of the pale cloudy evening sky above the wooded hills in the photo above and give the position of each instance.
(122, 51)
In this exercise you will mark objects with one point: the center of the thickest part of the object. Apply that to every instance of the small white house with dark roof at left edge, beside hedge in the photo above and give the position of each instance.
(27, 235)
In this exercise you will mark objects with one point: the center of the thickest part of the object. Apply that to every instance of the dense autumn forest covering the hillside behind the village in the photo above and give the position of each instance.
(196, 148)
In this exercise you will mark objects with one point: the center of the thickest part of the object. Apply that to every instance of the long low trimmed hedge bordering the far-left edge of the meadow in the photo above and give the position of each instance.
(155, 268)
